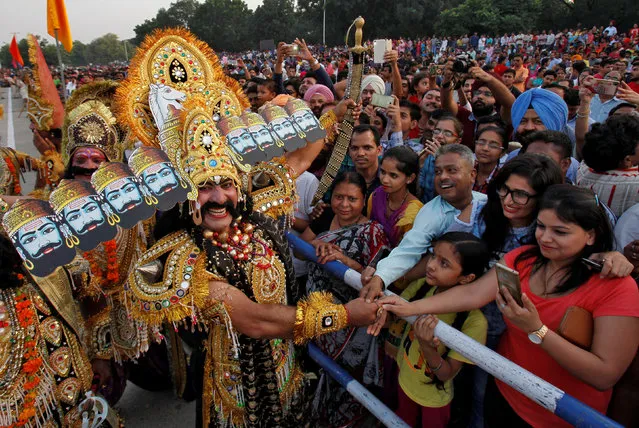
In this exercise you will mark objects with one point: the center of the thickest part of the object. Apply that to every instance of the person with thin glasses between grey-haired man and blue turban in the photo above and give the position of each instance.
(490, 147)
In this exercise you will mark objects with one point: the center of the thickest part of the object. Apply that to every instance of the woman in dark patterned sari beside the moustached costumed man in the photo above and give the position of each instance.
(356, 241)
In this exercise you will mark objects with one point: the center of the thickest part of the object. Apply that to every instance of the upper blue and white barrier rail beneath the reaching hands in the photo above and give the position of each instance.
(544, 393)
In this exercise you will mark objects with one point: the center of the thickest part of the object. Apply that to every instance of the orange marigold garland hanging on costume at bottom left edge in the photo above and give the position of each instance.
(32, 360)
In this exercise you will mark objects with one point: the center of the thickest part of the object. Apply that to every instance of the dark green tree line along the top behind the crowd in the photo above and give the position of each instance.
(230, 25)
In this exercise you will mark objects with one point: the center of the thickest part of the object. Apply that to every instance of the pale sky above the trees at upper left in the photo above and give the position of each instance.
(88, 19)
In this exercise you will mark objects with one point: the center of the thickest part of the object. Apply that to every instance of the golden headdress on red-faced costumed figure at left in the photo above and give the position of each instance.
(90, 122)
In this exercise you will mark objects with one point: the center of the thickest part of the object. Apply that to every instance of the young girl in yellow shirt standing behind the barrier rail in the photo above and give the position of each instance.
(426, 367)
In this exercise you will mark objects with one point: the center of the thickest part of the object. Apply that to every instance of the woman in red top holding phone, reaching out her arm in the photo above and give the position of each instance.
(571, 225)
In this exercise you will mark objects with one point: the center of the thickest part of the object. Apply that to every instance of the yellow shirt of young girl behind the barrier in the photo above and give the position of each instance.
(412, 378)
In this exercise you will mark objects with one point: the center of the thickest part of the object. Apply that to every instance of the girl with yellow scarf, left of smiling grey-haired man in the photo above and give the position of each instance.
(394, 204)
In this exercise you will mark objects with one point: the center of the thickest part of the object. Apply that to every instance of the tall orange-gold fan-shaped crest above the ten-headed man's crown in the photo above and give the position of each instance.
(175, 58)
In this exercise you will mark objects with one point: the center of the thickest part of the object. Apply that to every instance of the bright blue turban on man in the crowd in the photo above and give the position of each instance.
(550, 107)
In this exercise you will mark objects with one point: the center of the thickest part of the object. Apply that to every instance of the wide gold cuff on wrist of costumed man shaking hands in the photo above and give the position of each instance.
(317, 315)
